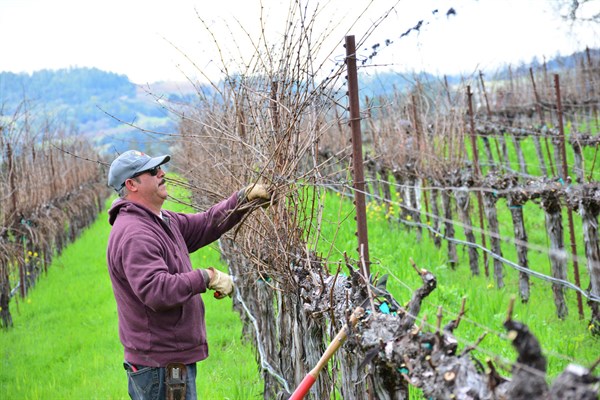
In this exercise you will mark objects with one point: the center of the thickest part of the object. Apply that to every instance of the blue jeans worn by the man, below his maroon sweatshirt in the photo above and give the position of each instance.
(148, 383)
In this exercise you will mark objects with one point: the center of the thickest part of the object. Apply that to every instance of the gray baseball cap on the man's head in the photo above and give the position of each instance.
(130, 163)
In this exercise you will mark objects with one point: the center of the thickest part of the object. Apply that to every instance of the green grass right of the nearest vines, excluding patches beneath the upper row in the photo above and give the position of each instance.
(392, 245)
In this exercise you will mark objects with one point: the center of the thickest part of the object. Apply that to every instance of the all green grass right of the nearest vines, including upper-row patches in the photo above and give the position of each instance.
(392, 245)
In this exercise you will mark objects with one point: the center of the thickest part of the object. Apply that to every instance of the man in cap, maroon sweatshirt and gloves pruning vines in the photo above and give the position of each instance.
(161, 313)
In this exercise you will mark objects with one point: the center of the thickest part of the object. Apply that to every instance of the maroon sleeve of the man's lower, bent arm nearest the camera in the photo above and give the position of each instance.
(149, 277)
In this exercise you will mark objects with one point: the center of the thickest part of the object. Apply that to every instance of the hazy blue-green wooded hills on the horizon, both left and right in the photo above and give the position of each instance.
(118, 114)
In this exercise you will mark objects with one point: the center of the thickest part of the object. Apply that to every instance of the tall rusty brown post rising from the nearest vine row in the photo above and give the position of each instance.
(357, 157)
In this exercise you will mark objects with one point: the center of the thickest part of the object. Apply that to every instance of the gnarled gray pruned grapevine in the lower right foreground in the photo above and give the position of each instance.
(400, 353)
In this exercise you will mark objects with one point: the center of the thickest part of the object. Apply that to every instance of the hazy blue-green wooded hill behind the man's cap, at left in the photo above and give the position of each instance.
(105, 106)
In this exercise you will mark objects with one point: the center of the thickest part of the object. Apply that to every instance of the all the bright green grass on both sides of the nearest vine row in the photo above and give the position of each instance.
(65, 342)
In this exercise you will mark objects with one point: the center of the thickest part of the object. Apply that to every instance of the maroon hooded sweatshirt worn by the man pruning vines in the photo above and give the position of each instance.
(161, 313)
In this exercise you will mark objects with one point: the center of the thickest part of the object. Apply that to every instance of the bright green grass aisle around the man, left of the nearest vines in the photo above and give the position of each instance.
(64, 343)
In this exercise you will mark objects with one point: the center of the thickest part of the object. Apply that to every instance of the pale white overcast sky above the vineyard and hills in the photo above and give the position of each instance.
(138, 38)
